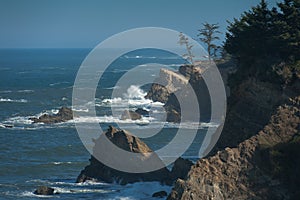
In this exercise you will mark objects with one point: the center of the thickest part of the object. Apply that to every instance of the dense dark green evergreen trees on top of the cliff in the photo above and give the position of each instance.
(266, 43)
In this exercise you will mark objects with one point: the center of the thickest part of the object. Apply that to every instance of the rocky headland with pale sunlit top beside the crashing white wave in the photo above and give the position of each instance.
(175, 88)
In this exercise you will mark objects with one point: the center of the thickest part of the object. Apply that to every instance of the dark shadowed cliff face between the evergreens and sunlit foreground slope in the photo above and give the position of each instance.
(249, 109)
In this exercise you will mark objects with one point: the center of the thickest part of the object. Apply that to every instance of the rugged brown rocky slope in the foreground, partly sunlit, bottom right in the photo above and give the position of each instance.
(256, 169)
